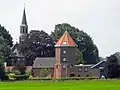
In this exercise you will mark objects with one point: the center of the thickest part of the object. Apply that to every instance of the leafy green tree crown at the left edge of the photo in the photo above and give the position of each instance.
(5, 44)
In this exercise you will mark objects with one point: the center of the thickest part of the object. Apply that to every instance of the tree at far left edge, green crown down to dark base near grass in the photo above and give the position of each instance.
(5, 51)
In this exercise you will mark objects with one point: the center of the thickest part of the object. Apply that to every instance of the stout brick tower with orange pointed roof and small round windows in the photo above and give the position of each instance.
(65, 59)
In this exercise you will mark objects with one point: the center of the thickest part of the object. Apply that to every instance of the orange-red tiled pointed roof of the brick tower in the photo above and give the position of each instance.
(66, 40)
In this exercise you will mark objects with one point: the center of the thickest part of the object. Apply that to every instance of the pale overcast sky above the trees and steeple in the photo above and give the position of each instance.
(98, 18)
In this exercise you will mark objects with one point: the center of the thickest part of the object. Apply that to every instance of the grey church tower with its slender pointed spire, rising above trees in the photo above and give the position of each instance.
(23, 29)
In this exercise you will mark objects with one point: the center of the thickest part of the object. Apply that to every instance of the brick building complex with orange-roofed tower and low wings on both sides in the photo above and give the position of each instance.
(64, 63)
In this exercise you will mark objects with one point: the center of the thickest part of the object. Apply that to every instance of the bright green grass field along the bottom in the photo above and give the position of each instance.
(62, 85)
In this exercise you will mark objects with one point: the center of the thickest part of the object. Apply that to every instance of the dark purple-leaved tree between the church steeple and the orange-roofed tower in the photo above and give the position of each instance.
(40, 44)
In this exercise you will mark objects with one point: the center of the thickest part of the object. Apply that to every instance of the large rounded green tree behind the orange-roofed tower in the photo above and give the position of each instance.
(82, 39)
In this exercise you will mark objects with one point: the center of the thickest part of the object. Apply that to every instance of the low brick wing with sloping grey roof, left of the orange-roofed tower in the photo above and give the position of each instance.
(43, 67)
